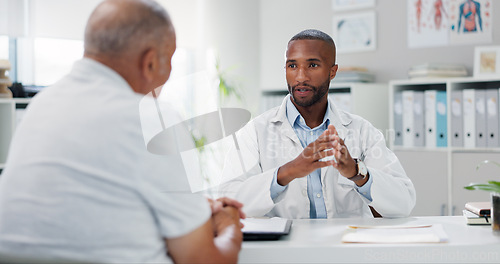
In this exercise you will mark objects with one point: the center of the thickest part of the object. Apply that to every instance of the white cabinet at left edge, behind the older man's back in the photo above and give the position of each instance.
(11, 111)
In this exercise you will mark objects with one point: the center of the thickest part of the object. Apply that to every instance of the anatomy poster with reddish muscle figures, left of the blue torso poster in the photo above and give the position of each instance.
(428, 23)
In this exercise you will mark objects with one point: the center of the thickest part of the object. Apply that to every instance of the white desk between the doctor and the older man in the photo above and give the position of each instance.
(318, 241)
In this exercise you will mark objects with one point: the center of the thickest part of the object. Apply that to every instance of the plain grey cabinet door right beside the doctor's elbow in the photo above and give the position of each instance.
(428, 172)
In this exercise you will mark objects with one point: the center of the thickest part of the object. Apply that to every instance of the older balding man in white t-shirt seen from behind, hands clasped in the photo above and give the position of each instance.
(79, 183)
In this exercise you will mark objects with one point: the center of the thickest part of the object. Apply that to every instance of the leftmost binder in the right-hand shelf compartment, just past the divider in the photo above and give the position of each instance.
(457, 139)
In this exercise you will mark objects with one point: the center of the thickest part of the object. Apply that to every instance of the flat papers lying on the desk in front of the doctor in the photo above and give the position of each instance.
(395, 234)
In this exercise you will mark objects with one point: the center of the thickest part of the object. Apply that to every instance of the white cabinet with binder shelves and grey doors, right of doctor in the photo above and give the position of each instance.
(440, 173)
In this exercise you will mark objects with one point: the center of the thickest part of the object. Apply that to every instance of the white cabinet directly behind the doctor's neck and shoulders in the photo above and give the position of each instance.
(369, 100)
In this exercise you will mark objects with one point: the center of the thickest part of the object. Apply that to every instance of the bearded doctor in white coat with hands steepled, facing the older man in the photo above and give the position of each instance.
(310, 159)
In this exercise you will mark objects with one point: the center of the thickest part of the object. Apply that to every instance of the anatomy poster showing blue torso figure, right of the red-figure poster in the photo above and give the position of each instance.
(471, 21)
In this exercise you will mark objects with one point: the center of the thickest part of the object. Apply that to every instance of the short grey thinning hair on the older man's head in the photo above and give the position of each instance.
(118, 26)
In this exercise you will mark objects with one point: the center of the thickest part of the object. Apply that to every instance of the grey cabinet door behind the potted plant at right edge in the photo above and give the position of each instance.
(464, 172)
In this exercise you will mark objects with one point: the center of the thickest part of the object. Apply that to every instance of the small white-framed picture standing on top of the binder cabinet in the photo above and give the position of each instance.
(487, 61)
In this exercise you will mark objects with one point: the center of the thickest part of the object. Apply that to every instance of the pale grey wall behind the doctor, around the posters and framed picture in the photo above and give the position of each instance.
(281, 19)
